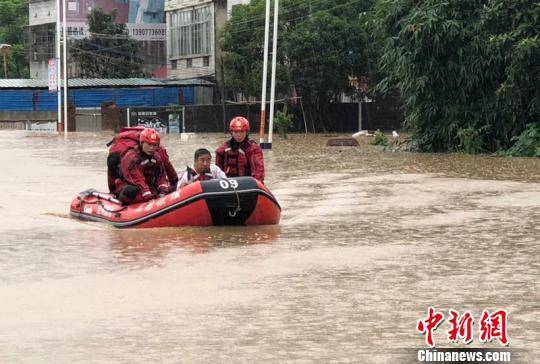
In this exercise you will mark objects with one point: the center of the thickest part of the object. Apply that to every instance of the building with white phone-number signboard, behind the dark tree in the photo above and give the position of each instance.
(144, 20)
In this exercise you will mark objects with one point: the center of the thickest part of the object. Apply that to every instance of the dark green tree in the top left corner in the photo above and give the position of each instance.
(13, 20)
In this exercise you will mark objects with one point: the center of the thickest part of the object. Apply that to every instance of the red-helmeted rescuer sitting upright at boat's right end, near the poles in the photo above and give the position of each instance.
(240, 156)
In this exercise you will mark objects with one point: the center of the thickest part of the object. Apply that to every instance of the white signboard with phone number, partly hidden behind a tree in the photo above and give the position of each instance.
(138, 31)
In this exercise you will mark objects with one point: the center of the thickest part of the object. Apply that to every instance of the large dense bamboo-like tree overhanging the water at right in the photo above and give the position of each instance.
(467, 71)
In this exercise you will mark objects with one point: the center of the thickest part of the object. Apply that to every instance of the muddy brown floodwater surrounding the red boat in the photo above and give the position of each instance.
(368, 240)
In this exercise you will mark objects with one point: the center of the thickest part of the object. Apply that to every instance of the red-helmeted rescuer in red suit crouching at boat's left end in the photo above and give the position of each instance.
(143, 173)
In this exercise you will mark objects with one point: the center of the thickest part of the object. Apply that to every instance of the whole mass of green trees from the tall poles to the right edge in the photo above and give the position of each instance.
(468, 72)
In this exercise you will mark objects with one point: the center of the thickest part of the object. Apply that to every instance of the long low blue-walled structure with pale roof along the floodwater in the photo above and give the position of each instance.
(29, 102)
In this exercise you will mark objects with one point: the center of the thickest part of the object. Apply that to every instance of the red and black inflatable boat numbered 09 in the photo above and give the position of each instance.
(233, 201)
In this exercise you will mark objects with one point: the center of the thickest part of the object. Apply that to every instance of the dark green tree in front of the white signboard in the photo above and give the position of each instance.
(109, 52)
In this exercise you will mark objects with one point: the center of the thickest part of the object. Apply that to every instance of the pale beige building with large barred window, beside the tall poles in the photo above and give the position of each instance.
(192, 32)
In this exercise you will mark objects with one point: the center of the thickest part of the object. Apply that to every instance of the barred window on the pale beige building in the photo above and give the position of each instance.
(190, 32)
